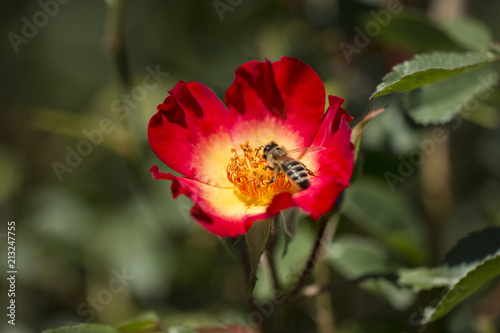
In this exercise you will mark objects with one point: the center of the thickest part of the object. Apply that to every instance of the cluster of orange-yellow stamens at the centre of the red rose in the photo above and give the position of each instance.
(247, 172)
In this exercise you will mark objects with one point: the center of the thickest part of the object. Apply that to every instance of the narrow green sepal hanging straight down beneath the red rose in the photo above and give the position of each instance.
(256, 238)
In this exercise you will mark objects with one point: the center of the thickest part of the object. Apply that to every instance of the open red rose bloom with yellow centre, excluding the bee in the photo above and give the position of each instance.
(195, 134)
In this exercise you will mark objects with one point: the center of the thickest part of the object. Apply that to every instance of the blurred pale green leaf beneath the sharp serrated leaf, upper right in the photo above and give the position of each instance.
(439, 102)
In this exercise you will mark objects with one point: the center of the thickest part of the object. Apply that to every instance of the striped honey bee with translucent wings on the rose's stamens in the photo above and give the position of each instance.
(279, 159)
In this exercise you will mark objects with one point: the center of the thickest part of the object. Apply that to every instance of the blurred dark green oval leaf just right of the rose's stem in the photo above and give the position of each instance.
(386, 215)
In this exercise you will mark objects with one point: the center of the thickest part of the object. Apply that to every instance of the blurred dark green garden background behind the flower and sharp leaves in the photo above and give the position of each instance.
(98, 240)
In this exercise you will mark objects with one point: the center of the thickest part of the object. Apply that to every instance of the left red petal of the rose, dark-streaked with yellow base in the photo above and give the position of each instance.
(189, 133)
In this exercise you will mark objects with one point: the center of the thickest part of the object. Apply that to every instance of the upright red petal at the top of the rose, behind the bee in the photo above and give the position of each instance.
(287, 93)
